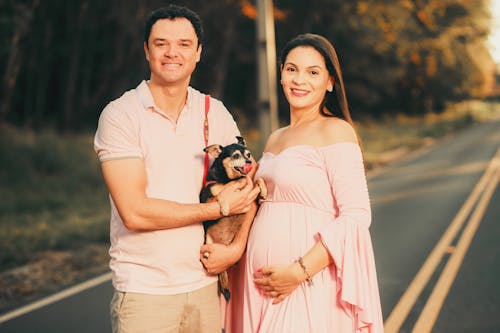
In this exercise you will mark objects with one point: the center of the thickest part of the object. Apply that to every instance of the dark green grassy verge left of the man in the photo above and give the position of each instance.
(52, 194)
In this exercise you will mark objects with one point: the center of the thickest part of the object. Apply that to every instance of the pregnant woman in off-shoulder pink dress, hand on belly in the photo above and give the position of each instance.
(309, 265)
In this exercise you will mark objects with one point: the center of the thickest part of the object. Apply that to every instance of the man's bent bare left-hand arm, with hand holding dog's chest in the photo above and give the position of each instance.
(126, 182)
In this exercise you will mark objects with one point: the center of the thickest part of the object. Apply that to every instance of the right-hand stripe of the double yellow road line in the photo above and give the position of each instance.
(432, 308)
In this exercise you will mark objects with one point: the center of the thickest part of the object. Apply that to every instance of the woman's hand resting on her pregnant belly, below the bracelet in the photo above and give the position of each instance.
(278, 281)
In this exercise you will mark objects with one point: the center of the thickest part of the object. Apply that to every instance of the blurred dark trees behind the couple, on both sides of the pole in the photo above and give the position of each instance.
(61, 61)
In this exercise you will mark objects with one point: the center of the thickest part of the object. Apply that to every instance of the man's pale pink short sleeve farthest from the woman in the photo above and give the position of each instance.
(117, 135)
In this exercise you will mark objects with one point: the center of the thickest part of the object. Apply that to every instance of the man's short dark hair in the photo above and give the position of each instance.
(172, 12)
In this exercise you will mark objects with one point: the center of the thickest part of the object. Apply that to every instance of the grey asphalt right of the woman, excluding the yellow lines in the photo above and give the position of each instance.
(413, 204)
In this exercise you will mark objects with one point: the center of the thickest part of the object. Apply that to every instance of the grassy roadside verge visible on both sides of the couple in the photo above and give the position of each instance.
(53, 197)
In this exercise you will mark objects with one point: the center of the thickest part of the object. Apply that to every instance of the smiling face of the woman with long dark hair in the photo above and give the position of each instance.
(305, 78)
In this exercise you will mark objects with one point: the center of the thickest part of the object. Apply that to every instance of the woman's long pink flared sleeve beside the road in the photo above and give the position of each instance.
(348, 239)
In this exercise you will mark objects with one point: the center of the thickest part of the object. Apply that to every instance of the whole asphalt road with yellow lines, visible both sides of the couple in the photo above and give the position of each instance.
(414, 203)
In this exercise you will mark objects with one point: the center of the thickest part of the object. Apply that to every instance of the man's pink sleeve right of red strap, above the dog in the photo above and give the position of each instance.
(224, 125)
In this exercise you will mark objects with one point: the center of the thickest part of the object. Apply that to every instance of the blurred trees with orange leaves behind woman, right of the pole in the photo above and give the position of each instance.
(406, 56)
